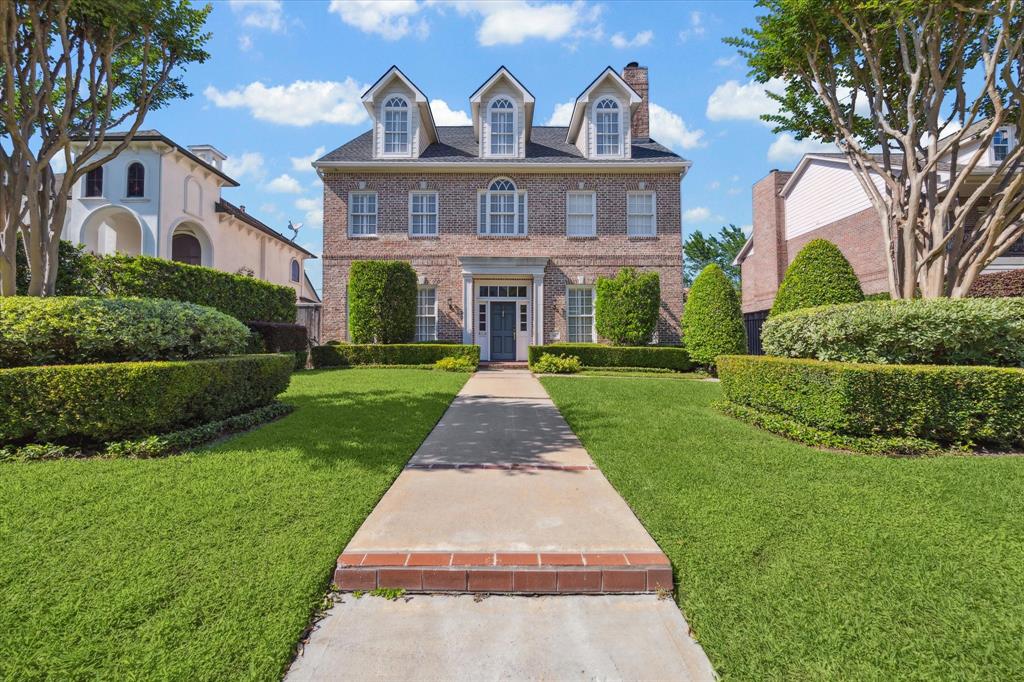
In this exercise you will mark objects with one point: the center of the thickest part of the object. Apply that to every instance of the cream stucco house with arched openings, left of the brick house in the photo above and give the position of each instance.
(160, 199)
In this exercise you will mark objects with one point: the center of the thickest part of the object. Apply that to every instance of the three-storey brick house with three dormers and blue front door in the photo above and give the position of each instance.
(507, 225)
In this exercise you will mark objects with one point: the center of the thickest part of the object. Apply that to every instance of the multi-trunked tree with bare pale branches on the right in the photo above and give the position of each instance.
(914, 93)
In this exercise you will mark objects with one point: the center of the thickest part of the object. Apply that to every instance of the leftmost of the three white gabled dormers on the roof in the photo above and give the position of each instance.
(404, 125)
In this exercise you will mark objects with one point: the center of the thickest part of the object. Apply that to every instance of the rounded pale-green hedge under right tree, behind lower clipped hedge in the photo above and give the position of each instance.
(936, 331)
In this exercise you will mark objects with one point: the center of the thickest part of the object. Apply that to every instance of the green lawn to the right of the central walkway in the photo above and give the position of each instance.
(802, 565)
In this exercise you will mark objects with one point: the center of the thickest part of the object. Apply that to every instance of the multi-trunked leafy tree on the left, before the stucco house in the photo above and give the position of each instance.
(77, 69)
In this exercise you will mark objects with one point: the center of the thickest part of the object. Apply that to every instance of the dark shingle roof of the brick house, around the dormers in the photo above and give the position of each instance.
(457, 144)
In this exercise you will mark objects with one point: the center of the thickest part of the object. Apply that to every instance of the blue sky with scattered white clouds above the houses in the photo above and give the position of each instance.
(285, 79)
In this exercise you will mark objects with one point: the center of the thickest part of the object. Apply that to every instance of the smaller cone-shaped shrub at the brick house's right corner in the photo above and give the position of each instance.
(713, 324)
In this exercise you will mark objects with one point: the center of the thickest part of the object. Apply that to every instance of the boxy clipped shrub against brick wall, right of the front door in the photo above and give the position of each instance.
(627, 308)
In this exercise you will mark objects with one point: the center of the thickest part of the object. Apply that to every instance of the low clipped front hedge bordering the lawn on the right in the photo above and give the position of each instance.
(952, 406)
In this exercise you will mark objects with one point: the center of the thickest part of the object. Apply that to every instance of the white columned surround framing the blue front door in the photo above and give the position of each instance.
(510, 278)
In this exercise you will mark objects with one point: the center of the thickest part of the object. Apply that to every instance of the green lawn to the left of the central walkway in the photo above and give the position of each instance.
(204, 566)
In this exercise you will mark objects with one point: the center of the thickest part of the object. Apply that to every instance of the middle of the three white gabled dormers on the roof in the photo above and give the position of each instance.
(503, 116)
